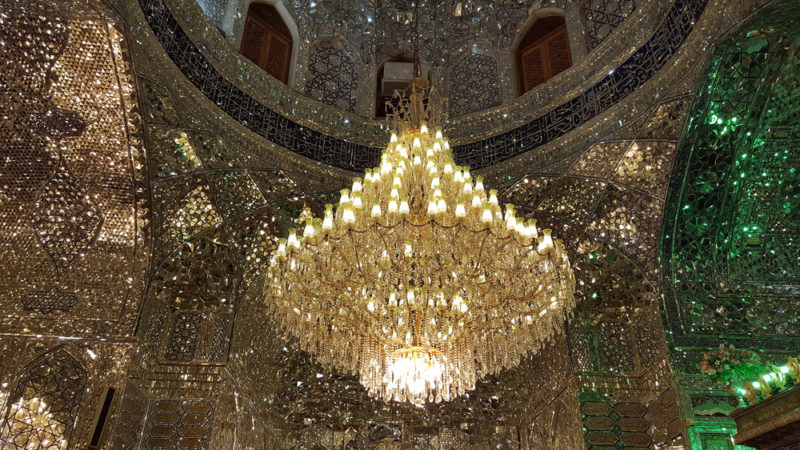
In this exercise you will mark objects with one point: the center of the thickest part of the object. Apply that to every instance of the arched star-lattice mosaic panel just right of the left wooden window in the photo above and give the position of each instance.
(332, 76)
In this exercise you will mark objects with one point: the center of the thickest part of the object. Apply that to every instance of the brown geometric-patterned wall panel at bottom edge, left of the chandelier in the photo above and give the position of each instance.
(179, 424)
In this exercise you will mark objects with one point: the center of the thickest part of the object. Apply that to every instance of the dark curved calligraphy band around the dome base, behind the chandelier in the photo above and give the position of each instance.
(617, 85)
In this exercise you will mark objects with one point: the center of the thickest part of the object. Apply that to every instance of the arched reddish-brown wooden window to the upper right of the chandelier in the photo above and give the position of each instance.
(543, 53)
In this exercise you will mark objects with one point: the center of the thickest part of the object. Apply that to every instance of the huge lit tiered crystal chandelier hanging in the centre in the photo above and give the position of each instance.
(417, 281)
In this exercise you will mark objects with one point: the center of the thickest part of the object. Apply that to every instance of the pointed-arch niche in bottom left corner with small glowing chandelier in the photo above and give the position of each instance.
(44, 404)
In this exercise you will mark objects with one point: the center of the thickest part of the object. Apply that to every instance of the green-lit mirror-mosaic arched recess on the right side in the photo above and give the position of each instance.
(731, 231)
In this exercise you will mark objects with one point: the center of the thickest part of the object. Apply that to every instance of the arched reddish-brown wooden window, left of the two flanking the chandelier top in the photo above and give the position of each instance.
(267, 41)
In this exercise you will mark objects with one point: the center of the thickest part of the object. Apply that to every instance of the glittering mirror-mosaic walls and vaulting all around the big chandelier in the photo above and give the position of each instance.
(148, 170)
